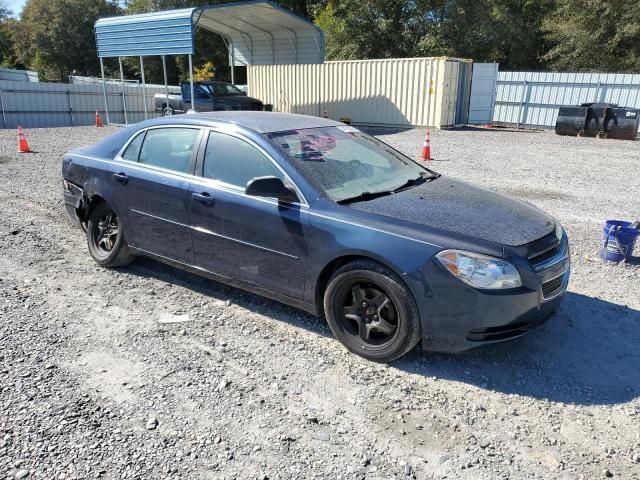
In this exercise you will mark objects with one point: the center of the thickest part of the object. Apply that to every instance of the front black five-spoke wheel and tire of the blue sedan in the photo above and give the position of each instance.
(371, 311)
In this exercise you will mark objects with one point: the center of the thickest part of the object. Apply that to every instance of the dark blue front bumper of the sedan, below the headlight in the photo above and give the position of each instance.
(457, 317)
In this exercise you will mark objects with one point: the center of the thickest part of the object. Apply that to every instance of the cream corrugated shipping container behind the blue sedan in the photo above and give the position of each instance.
(393, 92)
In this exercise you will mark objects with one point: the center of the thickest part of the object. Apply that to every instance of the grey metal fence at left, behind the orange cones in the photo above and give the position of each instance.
(35, 105)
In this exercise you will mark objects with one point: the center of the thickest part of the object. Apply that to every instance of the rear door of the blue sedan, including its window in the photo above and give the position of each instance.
(155, 177)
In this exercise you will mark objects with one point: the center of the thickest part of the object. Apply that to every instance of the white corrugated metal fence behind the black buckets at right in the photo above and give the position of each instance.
(533, 98)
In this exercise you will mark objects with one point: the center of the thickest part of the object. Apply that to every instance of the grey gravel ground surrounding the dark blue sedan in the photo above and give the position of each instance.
(149, 372)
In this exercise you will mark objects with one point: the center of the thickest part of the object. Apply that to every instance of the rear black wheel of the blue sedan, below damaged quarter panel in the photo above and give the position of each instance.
(108, 248)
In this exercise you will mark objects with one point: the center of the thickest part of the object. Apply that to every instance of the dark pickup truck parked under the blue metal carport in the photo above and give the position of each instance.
(211, 96)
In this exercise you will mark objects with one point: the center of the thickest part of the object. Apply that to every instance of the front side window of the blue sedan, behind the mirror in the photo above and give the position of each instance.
(234, 161)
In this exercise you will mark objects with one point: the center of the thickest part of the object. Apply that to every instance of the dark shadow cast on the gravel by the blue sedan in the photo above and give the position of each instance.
(588, 354)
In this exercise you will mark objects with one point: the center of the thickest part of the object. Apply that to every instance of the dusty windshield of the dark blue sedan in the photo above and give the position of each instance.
(347, 163)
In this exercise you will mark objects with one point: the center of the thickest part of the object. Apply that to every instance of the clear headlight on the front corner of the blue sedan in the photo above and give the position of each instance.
(480, 271)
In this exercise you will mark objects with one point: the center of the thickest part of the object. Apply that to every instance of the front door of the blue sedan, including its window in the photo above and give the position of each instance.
(259, 241)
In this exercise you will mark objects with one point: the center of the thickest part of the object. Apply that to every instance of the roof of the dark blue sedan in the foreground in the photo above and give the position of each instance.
(261, 122)
